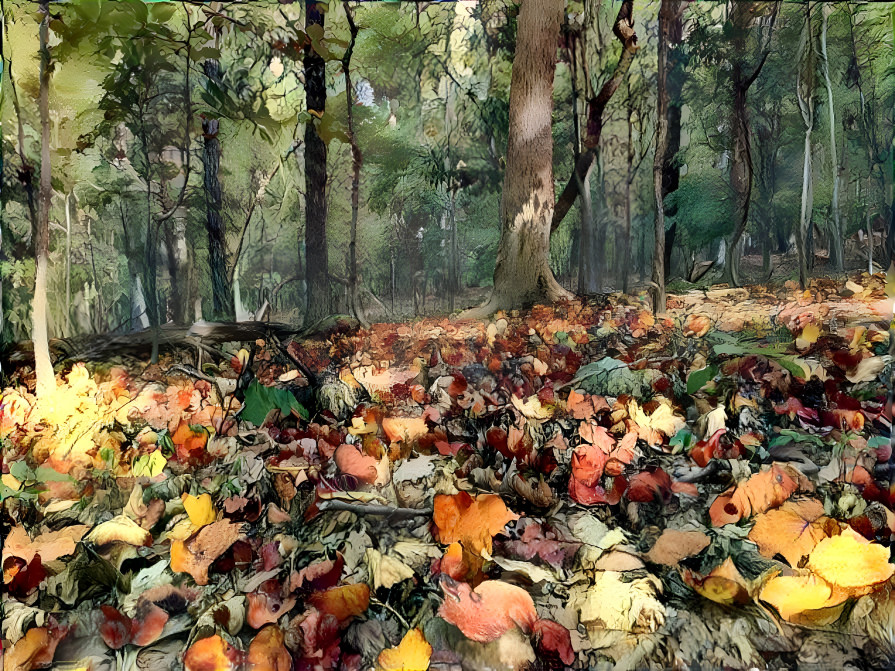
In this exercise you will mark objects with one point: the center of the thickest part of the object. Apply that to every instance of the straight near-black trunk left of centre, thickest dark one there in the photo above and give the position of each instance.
(317, 266)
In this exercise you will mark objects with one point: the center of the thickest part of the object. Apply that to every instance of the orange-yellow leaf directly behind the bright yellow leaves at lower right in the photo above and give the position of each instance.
(792, 530)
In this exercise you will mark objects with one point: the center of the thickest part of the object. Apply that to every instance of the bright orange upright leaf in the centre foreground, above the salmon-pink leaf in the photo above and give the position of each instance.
(471, 521)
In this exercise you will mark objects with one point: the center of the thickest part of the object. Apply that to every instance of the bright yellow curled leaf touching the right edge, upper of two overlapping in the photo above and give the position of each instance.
(851, 563)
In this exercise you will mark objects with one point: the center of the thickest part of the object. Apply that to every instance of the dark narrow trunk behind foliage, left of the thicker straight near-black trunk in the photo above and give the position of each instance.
(222, 293)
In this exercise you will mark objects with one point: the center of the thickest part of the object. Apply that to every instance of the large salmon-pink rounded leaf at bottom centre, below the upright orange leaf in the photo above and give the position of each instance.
(488, 612)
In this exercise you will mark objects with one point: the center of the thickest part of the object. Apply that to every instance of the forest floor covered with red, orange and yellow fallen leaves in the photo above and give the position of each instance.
(575, 486)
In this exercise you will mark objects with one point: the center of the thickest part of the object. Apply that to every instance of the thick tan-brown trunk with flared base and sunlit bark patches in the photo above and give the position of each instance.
(522, 275)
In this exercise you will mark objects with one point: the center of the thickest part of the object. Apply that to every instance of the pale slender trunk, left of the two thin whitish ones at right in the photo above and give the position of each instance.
(805, 96)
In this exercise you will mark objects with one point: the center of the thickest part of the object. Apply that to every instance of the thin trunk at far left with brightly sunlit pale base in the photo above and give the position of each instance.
(43, 366)
